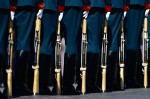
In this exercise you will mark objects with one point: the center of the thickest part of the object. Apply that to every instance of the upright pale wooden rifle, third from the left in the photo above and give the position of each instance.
(58, 60)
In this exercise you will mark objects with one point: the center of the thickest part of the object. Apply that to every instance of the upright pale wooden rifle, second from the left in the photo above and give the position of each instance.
(36, 57)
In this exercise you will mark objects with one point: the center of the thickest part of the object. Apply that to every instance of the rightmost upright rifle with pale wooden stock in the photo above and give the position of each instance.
(145, 53)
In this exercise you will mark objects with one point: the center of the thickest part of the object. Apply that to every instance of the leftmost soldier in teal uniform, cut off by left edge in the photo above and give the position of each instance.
(5, 9)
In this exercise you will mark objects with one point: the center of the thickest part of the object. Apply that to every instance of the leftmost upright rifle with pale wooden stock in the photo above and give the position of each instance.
(10, 54)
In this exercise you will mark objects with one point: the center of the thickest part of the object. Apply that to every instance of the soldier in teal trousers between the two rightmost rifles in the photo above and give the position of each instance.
(135, 18)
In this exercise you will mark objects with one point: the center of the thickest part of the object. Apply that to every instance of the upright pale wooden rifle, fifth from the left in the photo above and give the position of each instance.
(104, 57)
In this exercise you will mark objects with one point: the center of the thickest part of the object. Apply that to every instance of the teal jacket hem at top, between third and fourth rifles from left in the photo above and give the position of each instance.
(78, 3)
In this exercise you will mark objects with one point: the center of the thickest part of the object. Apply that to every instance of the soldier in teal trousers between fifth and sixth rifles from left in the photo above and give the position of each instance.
(114, 16)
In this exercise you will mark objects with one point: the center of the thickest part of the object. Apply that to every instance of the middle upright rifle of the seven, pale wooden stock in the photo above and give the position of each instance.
(84, 56)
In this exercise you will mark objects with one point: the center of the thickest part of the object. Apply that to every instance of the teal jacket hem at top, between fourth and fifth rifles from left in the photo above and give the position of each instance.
(98, 3)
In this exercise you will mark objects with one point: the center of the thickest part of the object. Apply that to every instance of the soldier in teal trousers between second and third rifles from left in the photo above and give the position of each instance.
(48, 37)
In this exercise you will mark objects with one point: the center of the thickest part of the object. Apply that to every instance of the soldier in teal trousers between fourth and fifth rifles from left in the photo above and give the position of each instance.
(94, 23)
